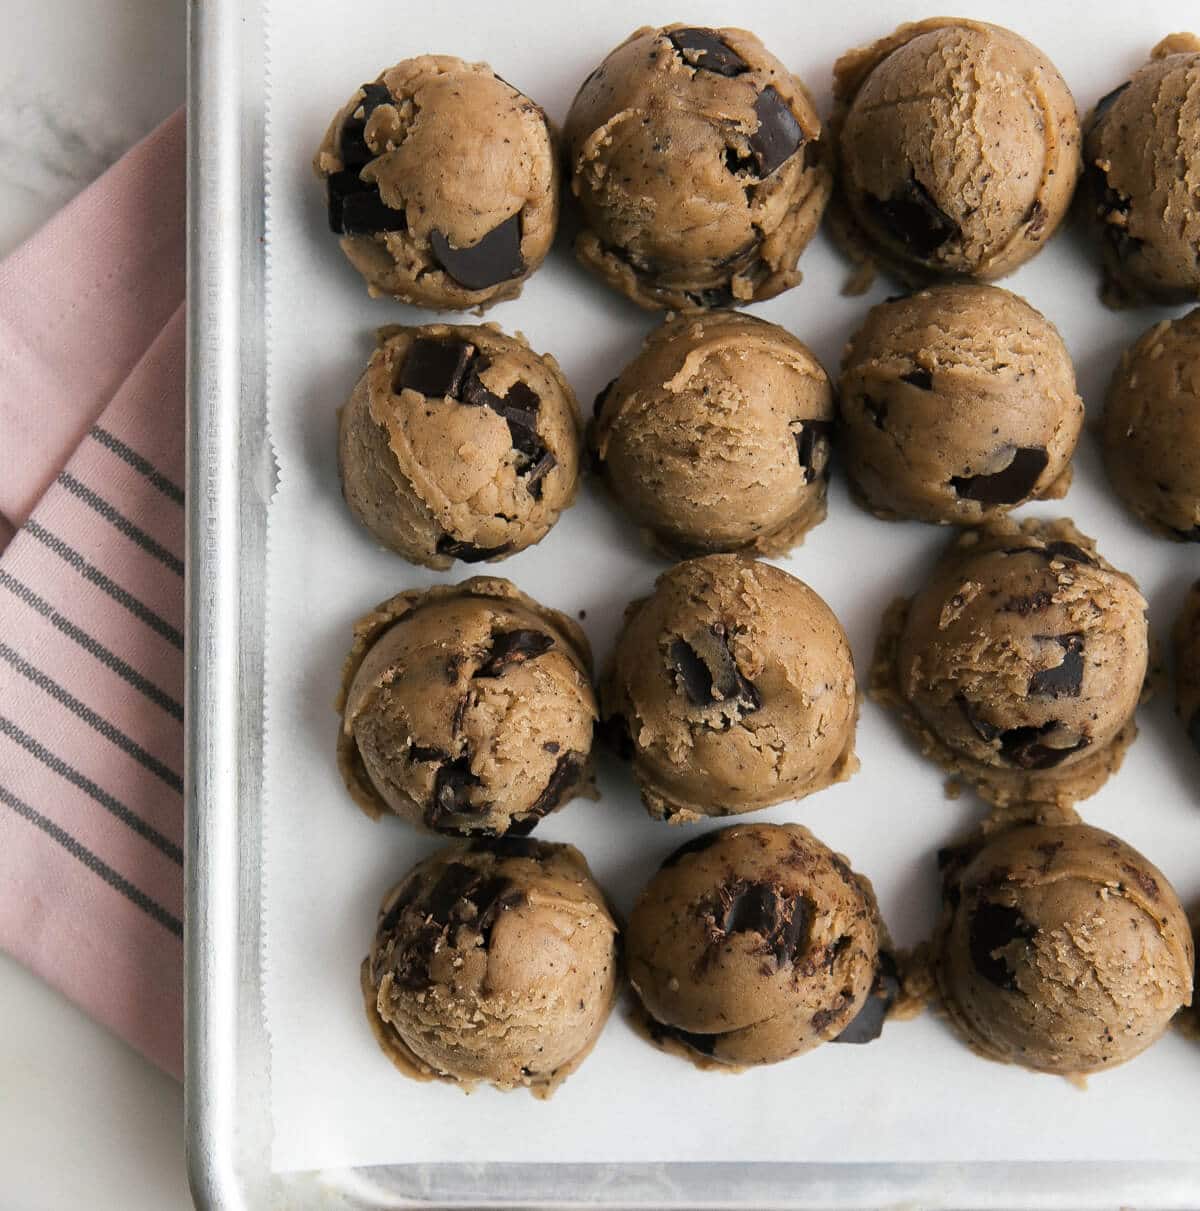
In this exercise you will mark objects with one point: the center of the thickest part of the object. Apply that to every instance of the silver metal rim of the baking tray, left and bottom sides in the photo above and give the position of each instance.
(231, 478)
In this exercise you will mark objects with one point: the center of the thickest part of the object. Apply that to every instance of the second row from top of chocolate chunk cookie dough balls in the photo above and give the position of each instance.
(955, 405)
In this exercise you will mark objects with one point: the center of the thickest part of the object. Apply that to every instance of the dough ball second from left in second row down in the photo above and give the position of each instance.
(717, 437)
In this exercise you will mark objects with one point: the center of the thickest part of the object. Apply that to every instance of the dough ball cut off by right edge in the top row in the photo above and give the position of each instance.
(1142, 179)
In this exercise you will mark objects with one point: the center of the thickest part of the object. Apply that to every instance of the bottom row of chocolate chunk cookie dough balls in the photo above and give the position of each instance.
(1060, 949)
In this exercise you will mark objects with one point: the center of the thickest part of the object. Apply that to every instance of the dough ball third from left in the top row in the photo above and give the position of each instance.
(958, 151)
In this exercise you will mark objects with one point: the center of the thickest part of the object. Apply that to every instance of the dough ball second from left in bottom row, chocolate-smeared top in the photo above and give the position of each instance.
(756, 944)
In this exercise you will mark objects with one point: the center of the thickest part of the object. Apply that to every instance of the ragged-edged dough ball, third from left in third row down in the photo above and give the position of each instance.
(1020, 664)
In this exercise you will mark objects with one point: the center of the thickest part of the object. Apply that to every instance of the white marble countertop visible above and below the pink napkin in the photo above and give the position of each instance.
(84, 1121)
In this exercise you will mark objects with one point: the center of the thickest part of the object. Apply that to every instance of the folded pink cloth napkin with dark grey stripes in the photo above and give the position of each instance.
(91, 599)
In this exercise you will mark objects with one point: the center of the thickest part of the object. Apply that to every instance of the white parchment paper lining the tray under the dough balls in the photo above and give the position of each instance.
(917, 1095)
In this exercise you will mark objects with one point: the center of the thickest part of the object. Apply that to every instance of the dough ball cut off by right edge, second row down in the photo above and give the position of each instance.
(1152, 428)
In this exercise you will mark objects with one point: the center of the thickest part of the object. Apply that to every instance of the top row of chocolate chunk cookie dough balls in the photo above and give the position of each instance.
(702, 169)
